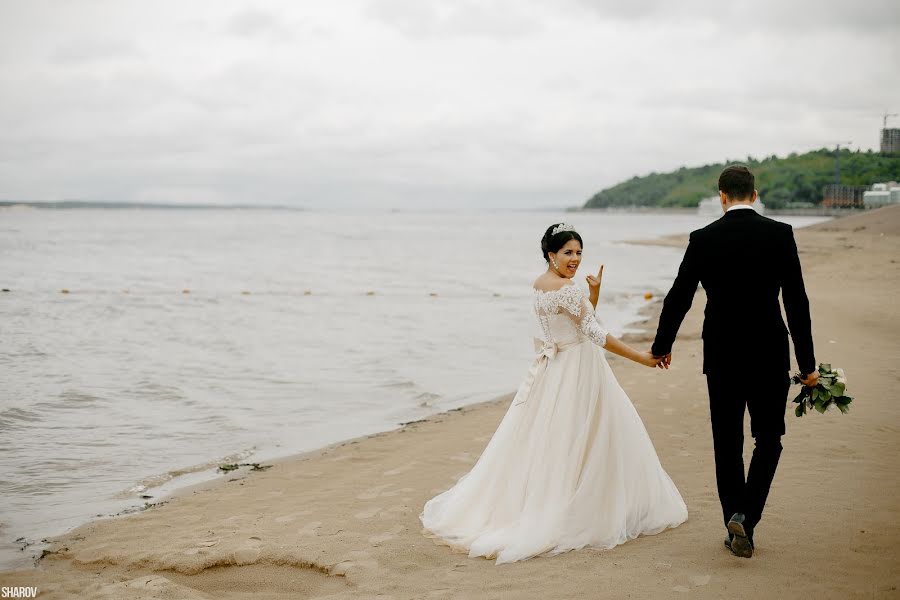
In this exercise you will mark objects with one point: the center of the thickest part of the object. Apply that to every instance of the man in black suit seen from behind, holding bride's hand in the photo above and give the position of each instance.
(743, 260)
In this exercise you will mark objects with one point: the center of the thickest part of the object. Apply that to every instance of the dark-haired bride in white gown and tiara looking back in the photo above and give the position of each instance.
(570, 465)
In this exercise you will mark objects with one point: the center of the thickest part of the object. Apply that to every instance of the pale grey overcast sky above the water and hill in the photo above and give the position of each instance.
(409, 103)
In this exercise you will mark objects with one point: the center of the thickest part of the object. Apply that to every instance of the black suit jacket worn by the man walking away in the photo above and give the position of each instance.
(743, 260)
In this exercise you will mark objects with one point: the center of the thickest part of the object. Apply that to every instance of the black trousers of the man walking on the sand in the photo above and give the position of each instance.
(765, 396)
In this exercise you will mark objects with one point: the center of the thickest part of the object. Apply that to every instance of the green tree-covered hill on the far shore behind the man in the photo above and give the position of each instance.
(795, 178)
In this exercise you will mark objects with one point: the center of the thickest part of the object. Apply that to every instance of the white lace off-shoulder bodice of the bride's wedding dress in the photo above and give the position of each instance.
(566, 314)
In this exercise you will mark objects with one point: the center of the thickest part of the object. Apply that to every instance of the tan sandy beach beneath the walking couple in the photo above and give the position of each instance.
(342, 522)
